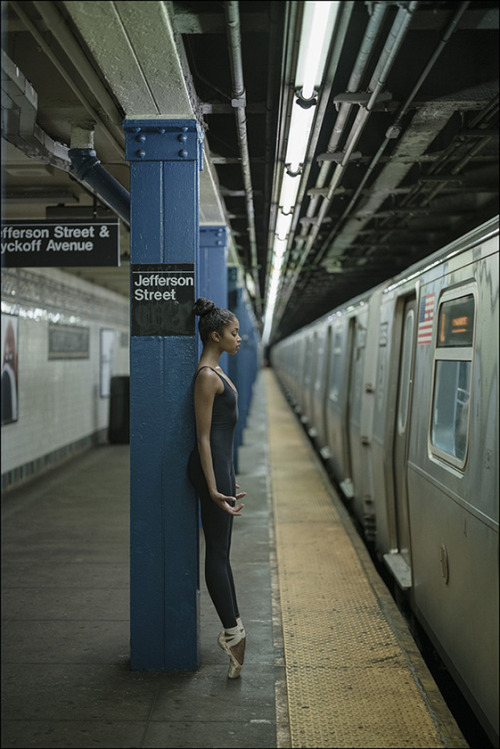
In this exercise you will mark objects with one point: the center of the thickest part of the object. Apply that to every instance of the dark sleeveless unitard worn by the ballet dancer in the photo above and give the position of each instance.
(218, 524)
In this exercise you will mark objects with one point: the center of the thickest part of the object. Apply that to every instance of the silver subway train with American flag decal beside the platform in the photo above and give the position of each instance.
(398, 389)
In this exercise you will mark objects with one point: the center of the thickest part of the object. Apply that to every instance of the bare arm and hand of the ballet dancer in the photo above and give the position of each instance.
(206, 388)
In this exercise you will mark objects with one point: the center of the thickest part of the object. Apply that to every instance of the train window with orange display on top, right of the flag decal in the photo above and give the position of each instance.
(452, 378)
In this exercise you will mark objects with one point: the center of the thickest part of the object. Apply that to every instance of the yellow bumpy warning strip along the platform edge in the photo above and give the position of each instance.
(348, 680)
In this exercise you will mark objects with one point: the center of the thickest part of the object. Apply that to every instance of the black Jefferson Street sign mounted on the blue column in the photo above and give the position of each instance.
(162, 299)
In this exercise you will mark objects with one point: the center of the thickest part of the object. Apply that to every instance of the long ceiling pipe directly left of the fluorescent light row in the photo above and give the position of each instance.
(238, 102)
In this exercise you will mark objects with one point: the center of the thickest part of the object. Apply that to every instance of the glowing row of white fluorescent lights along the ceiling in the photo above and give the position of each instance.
(317, 28)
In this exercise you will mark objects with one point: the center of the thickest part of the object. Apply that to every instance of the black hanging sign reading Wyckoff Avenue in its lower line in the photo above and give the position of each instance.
(41, 244)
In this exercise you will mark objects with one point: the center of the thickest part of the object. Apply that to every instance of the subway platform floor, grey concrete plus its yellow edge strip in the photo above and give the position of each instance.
(329, 662)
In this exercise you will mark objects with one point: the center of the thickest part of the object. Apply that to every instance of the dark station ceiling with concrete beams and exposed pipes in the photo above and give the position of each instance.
(403, 156)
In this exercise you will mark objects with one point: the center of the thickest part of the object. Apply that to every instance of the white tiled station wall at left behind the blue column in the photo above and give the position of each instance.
(61, 407)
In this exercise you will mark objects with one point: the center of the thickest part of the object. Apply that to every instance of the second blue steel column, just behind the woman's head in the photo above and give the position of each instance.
(212, 269)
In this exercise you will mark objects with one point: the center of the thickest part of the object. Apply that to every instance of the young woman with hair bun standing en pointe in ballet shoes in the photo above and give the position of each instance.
(211, 470)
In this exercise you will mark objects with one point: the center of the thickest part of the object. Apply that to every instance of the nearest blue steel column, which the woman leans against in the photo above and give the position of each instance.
(165, 159)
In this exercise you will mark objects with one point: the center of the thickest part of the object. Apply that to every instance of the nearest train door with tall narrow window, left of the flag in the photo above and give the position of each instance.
(402, 430)
